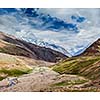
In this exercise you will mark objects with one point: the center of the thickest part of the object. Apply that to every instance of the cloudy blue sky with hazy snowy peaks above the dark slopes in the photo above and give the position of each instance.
(72, 29)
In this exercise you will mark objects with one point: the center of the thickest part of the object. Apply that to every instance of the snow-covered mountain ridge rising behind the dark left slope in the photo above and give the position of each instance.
(30, 37)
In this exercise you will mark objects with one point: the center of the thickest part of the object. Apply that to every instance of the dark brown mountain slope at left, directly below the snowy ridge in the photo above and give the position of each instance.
(14, 46)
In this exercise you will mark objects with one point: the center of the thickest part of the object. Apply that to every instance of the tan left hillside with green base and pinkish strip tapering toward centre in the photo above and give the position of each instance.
(13, 66)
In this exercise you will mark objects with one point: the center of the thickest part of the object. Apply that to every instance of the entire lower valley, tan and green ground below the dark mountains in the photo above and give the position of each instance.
(70, 75)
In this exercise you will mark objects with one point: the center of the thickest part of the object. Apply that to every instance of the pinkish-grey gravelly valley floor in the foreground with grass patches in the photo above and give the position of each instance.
(43, 79)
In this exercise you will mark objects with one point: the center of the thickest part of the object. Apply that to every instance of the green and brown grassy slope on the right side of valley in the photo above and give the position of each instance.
(83, 66)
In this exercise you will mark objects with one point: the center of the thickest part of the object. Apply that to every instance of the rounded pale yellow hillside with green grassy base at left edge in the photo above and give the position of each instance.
(12, 66)
